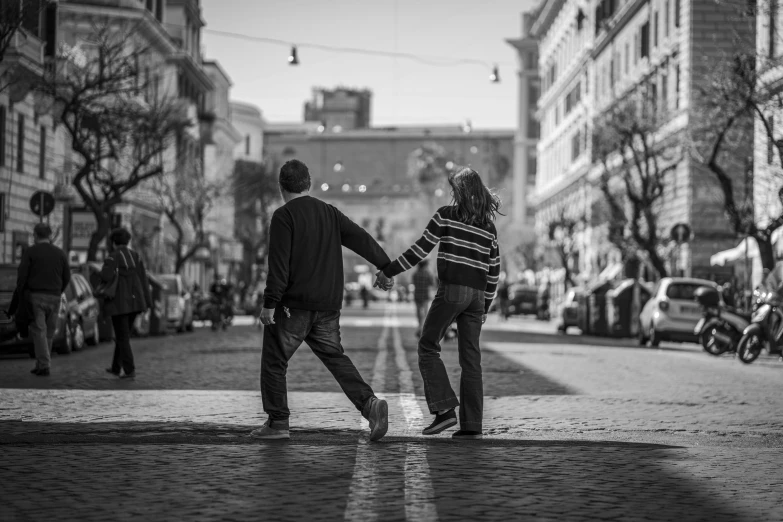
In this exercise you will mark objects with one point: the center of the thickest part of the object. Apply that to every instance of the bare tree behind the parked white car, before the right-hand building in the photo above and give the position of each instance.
(636, 159)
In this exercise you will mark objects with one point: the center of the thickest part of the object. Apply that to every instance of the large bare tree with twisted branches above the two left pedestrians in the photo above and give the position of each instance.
(119, 124)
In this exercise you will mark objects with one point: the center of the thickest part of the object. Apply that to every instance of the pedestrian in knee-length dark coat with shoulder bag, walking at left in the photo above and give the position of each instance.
(132, 297)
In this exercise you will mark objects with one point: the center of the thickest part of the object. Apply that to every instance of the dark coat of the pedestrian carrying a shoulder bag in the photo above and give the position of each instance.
(133, 289)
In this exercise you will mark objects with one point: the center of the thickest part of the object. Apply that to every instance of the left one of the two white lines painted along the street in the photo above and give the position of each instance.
(363, 496)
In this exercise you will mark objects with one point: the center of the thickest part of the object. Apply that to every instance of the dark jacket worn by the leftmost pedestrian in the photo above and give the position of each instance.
(43, 270)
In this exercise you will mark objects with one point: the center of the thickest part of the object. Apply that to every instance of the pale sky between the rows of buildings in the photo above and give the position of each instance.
(405, 92)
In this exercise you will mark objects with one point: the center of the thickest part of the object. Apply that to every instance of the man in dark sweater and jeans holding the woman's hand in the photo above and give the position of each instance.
(303, 297)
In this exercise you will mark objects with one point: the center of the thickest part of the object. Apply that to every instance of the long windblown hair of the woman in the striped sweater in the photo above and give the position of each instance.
(476, 204)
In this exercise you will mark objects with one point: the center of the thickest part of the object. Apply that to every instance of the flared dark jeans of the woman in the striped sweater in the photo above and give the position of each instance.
(466, 305)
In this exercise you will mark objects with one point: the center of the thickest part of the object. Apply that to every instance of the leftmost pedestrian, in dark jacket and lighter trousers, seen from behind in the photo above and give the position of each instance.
(42, 276)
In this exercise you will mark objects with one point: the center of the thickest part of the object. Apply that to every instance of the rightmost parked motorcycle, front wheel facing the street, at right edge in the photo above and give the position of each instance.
(766, 328)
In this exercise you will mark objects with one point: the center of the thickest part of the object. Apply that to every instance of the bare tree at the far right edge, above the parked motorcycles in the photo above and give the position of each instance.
(736, 95)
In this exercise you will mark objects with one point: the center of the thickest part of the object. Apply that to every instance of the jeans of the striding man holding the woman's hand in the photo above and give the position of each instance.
(321, 332)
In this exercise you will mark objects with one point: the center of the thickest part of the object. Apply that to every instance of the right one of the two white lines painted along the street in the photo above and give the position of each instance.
(419, 494)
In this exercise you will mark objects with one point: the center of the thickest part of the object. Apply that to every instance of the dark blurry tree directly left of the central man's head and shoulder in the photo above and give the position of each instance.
(257, 195)
